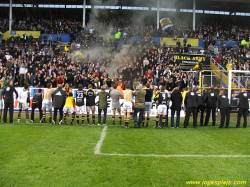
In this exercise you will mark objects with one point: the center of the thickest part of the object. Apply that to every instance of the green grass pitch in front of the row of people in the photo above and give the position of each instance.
(60, 155)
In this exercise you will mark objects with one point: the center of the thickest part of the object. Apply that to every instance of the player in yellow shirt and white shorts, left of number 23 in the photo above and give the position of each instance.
(69, 108)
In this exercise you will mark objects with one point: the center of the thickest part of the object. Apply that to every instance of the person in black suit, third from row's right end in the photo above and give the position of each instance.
(211, 102)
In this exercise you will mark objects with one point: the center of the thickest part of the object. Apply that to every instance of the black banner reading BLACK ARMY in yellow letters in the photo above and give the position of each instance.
(186, 59)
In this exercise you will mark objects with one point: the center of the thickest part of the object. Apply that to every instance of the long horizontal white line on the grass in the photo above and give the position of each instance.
(169, 156)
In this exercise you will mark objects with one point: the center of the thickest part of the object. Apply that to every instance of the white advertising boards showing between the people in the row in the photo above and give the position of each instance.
(109, 111)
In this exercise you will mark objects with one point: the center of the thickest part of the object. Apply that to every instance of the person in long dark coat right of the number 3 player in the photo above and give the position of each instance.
(176, 99)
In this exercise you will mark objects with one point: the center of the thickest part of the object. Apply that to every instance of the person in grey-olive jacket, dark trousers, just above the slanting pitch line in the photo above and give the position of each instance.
(103, 105)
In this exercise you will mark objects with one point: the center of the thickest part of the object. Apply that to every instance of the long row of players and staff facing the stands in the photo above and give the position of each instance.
(192, 101)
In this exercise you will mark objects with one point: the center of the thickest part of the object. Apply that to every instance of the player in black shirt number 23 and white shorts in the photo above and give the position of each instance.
(80, 108)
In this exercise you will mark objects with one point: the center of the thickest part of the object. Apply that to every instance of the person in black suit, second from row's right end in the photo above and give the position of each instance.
(225, 108)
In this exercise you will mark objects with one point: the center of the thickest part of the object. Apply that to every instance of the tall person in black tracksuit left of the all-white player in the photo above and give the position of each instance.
(8, 92)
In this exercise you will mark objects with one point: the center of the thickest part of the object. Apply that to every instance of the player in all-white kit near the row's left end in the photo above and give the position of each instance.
(24, 99)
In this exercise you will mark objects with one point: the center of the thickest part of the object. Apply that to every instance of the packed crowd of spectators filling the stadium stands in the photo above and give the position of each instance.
(38, 63)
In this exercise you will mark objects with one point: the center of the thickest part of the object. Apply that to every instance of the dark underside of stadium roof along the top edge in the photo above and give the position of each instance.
(216, 5)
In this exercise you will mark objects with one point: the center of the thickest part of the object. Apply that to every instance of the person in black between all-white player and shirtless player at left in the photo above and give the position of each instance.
(37, 103)
